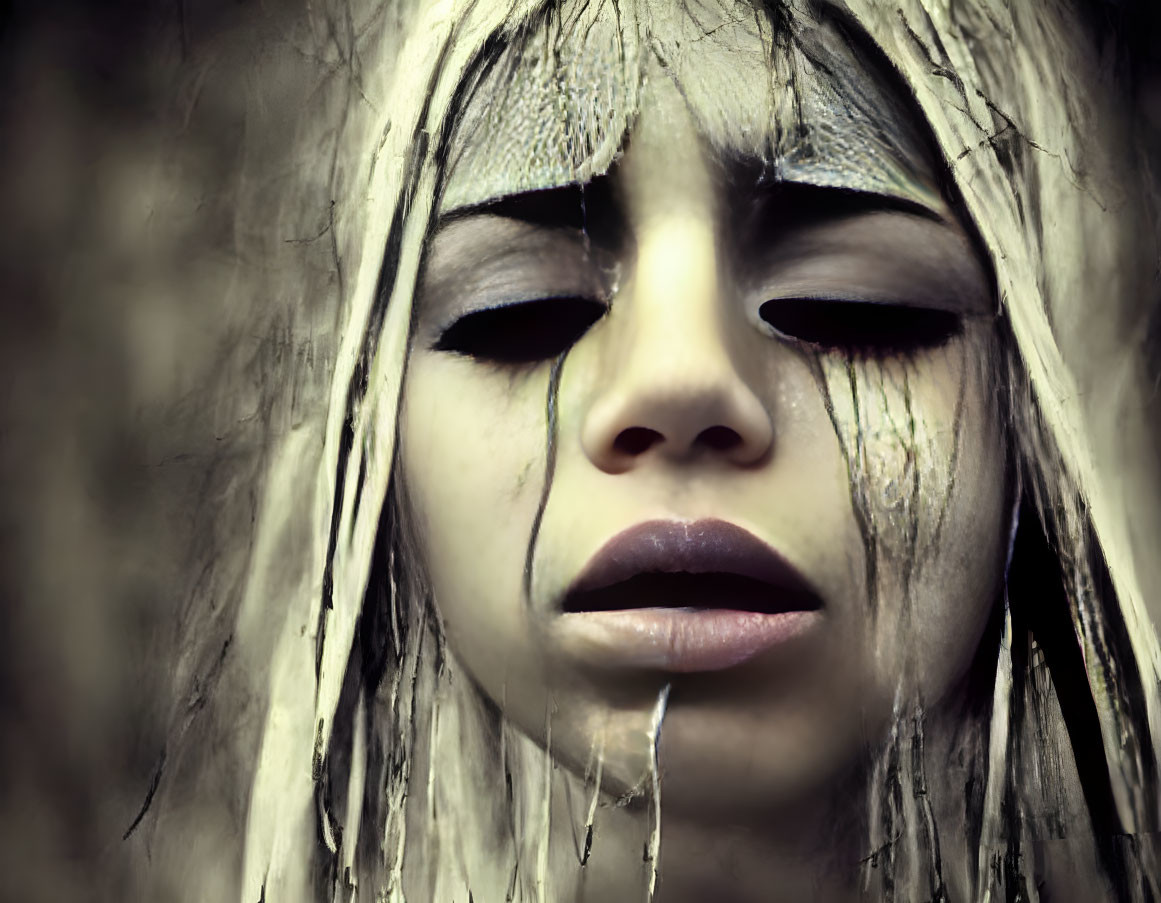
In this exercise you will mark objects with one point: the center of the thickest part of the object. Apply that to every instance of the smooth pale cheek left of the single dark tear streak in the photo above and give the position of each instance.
(473, 451)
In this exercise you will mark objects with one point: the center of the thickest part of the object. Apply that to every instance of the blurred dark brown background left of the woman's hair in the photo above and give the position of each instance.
(154, 171)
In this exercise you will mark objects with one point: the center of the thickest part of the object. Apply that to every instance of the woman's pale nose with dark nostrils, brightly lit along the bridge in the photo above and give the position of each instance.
(673, 389)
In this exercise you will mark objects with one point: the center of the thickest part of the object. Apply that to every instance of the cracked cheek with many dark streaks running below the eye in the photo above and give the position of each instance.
(927, 471)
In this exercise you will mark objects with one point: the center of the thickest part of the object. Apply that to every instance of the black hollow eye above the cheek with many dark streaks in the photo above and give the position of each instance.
(866, 328)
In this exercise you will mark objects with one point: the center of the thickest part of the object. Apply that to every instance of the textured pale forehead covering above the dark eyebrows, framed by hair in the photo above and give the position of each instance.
(558, 102)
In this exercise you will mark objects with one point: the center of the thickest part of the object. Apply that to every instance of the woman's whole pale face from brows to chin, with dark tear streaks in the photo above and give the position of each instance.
(776, 482)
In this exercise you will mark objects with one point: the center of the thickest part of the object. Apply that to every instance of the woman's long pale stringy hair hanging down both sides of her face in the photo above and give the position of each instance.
(358, 693)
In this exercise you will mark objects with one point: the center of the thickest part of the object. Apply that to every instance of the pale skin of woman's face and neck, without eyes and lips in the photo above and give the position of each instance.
(756, 761)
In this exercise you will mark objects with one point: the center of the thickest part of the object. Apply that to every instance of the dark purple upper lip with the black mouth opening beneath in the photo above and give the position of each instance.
(670, 564)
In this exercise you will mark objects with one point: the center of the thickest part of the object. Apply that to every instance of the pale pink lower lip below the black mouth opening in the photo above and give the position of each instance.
(680, 640)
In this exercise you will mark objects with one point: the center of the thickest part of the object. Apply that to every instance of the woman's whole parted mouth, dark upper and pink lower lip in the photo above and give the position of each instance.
(684, 639)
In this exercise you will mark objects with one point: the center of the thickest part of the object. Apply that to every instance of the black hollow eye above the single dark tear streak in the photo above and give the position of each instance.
(522, 334)
